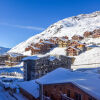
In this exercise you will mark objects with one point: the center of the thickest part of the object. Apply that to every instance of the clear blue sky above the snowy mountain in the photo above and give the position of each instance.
(21, 19)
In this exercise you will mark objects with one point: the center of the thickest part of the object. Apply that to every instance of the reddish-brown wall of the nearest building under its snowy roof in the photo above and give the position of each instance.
(54, 91)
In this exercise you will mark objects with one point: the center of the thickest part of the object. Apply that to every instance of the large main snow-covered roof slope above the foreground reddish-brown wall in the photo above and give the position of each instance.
(90, 83)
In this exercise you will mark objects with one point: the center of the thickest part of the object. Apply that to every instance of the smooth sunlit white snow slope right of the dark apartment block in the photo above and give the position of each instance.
(88, 59)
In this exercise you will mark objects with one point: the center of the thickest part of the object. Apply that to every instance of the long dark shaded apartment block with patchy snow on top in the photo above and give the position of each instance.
(35, 66)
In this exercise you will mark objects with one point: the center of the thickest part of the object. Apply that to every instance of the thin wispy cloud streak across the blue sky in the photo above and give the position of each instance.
(24, 27)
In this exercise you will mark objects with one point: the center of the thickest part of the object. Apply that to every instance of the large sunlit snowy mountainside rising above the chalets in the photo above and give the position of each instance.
(69, 26)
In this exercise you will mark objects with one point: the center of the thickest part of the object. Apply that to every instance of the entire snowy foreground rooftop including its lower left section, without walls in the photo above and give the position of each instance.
(83, 80)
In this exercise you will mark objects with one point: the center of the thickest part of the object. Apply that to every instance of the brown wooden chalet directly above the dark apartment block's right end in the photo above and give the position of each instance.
(72, 51)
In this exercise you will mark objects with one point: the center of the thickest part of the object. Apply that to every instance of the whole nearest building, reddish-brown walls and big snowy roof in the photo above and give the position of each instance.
(62, 84)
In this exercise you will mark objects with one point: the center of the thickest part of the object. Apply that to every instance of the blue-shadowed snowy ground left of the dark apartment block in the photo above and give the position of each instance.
(14, 73)
